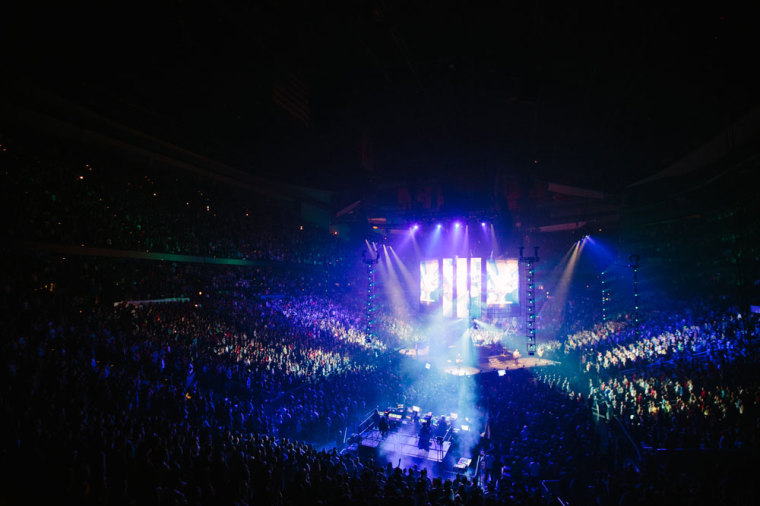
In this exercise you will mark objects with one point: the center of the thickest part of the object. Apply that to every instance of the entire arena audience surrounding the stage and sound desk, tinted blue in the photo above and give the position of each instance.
(247, 386)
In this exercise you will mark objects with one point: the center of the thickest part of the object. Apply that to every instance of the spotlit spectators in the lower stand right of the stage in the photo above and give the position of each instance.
(682, 379)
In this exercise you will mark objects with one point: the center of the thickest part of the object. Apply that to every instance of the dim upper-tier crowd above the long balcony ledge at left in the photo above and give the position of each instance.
(60, 194)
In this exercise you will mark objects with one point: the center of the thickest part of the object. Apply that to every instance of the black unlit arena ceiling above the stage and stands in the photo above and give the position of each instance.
(595, 94)
